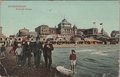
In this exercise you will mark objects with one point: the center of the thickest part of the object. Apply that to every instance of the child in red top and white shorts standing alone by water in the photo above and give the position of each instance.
(72, 59)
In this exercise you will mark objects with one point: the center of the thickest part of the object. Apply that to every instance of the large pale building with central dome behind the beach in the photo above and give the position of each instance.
(65, 30)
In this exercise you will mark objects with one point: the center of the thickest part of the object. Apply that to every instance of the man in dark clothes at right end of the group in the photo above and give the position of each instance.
(47, 53)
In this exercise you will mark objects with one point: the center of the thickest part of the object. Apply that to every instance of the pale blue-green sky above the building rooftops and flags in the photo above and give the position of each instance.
(16, 15)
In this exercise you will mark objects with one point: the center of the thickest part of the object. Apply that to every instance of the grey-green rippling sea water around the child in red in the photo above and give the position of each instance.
(92, 61)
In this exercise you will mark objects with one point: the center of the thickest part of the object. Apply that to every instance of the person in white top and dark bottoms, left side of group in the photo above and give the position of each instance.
(18, 53)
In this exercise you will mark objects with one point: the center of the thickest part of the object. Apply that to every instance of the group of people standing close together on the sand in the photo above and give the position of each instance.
(26, 50)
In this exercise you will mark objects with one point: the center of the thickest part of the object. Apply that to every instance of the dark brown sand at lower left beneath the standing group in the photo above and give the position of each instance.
(24, 71)
